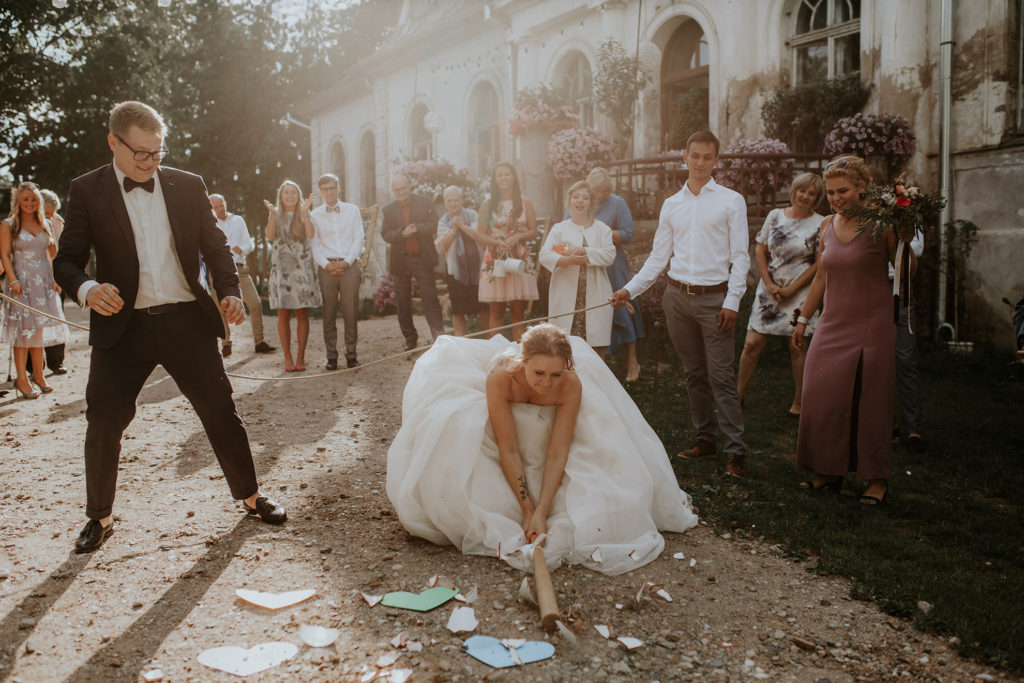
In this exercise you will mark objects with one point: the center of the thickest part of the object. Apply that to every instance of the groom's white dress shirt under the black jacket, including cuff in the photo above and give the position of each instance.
(161, 279)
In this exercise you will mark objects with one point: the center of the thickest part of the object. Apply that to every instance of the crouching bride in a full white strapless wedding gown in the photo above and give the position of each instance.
(501, 444)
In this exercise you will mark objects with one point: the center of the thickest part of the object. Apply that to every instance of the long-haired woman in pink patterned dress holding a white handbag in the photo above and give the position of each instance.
(507, 224)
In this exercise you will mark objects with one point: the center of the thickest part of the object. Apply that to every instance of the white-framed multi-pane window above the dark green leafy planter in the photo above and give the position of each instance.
(827, 40)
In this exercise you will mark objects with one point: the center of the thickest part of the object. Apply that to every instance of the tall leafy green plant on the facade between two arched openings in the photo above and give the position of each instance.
(620, 80)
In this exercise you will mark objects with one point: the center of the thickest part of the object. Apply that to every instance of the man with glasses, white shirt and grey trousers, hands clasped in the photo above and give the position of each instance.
(337, 243)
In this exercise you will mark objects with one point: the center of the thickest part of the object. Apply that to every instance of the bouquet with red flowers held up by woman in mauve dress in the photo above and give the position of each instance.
(902, 208)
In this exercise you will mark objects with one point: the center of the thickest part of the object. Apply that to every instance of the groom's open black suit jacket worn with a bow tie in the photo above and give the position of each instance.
(97, 219)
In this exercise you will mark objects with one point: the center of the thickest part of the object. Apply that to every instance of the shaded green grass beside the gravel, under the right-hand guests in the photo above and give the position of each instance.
(952, 533)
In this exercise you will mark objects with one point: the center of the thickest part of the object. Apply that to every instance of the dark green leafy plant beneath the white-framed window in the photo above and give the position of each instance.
(802, 116)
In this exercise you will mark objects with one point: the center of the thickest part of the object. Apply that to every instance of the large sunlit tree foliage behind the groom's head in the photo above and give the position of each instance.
(224, 75)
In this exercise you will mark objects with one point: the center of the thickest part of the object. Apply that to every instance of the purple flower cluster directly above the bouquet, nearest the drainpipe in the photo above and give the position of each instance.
(887, 136)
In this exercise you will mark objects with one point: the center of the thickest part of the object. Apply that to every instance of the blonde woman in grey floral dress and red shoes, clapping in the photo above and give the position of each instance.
(293, 274)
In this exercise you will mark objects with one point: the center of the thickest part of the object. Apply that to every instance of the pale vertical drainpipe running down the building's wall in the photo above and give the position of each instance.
(946, 185)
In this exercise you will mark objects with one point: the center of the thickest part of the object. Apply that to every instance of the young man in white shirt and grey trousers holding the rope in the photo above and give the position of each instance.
(702, 237)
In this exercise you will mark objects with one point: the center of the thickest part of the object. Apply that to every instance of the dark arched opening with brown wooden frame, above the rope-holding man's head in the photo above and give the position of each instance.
(685, 84)
